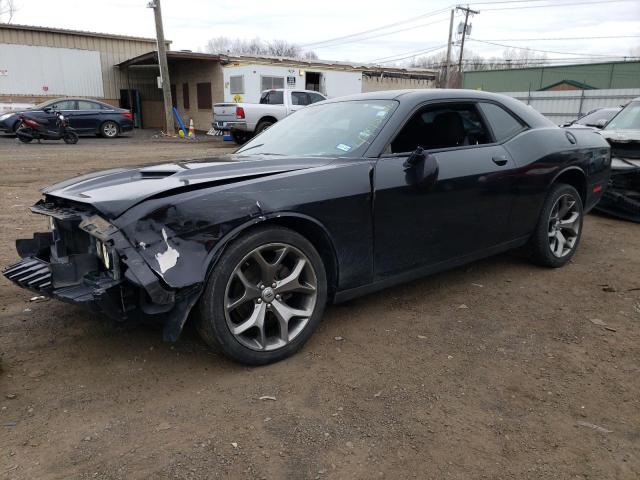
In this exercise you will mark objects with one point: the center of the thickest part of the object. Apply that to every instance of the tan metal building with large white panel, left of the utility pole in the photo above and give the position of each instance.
(37, 63)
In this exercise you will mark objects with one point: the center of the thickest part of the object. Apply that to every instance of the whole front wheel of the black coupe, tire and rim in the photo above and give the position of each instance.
(264, 298)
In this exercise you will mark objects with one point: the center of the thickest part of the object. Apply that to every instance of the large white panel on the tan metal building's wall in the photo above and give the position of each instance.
(47, 71)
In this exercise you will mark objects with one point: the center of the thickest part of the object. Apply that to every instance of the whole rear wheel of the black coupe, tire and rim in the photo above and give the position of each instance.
(559, 228)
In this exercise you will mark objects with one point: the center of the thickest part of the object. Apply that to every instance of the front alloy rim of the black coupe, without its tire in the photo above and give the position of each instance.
(270, 296)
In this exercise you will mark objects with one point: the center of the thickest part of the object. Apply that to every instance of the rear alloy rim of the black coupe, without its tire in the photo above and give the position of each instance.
(564, 225)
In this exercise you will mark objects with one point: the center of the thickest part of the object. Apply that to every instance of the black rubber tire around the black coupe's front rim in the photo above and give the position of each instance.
(211, 321)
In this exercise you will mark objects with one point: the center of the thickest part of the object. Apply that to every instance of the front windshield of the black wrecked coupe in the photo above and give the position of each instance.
(343, 129)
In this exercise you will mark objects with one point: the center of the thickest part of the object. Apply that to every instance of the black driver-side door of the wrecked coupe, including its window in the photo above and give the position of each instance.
(465, 211)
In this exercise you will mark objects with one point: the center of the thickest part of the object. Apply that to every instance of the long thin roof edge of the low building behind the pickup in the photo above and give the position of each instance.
(151, 58)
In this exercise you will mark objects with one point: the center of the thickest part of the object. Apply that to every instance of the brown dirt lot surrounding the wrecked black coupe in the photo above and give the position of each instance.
(496, 370)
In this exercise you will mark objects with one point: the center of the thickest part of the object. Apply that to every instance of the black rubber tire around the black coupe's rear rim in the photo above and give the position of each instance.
(540, 243)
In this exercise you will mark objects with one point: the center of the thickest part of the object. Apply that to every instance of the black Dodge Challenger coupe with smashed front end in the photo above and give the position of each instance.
(342, 198)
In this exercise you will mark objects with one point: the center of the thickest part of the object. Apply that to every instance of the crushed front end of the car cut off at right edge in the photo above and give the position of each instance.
(622, 197)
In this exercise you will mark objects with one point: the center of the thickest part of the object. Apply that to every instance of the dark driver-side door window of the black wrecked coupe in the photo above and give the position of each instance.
(442, 126)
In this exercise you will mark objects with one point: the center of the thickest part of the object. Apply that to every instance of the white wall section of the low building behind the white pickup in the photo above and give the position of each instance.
(336, 83)
